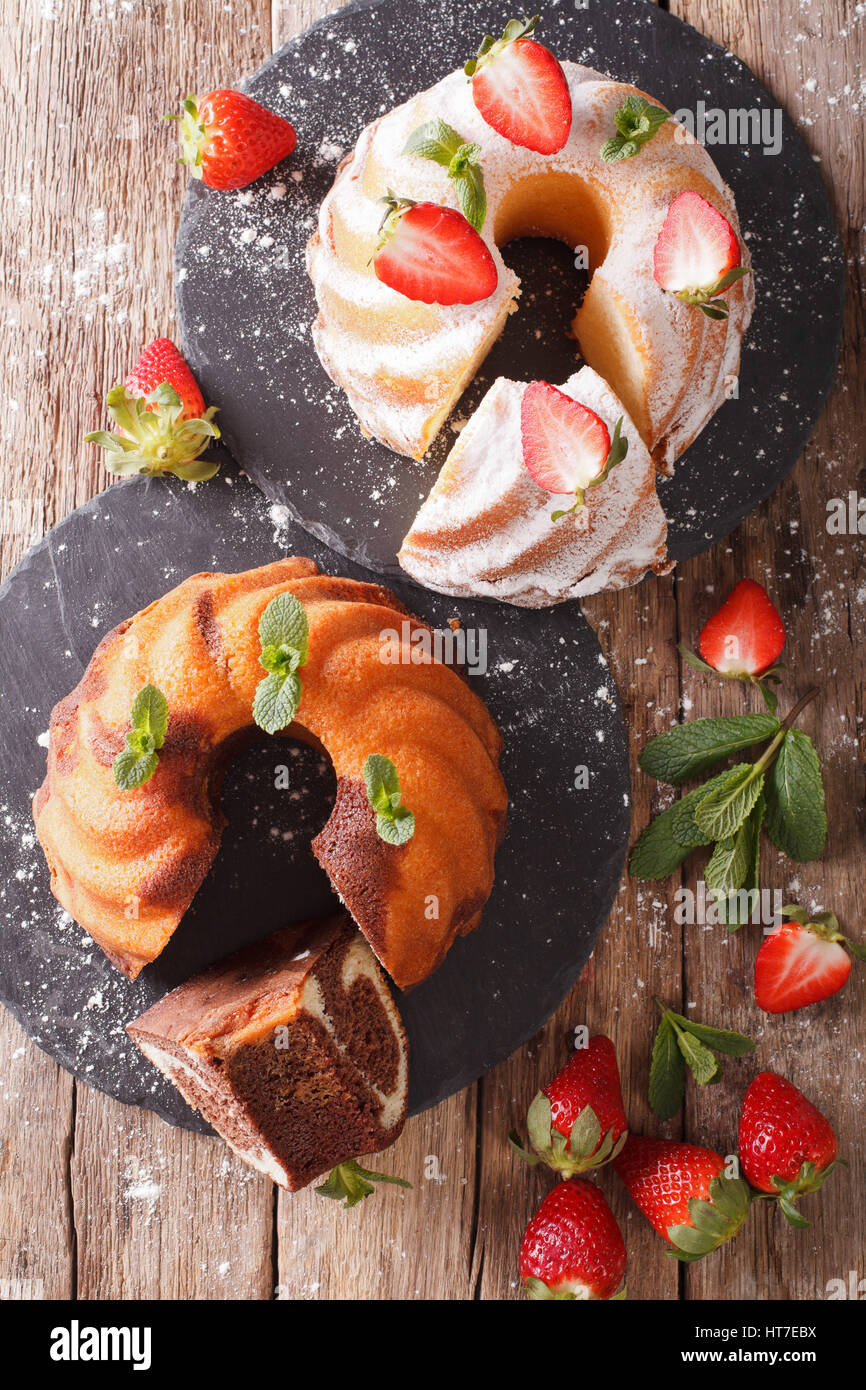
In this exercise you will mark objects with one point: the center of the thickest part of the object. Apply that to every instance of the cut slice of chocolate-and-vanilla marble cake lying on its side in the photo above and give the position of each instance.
(291, 1049)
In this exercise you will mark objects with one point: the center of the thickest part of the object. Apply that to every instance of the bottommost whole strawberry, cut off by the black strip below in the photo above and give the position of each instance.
(573, 1248)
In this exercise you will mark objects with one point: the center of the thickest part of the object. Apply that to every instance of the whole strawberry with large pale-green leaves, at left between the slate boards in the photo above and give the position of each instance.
(161, 418)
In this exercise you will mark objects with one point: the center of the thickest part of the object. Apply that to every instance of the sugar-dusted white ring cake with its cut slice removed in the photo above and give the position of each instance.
(405, 365)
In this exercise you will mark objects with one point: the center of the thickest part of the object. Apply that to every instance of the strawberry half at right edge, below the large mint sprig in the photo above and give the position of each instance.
(803, 963)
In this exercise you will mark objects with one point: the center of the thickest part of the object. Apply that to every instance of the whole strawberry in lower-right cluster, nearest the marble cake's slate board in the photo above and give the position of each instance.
(578, 1122)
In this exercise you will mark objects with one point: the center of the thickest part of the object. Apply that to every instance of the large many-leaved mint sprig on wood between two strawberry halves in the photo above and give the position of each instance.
(782, 793)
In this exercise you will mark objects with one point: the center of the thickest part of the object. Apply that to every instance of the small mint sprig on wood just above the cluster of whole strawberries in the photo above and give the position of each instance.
(680, 1043)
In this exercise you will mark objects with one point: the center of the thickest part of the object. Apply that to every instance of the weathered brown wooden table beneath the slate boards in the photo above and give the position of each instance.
(104, 1202)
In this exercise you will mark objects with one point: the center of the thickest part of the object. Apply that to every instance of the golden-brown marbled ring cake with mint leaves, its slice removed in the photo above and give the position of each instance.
(129, 864)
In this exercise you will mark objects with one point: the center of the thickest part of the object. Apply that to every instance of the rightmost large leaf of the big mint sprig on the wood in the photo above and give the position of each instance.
(796, 817)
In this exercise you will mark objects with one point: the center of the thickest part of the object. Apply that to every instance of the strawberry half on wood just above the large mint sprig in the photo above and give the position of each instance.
(743, 640)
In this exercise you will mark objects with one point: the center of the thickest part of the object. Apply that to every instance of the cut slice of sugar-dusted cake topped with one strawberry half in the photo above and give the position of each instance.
(486, 529)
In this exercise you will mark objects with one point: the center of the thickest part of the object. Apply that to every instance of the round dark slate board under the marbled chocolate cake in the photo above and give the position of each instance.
(557, 872)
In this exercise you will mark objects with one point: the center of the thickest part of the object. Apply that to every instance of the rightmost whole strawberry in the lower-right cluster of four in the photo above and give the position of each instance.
(787, 1147)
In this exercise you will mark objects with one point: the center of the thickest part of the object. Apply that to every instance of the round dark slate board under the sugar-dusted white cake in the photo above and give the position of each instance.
(247, 304)
